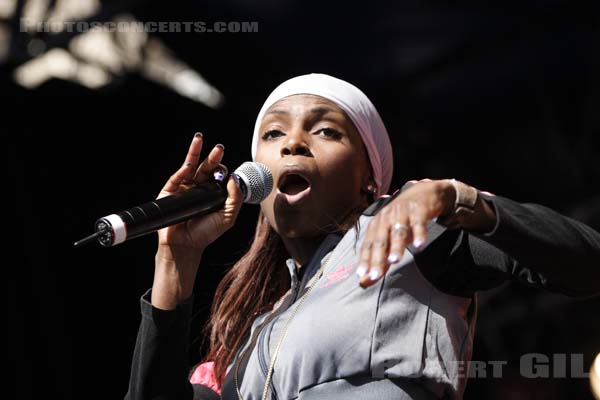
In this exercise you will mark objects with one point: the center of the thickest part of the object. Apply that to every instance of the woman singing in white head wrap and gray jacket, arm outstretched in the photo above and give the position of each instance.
(346, 292)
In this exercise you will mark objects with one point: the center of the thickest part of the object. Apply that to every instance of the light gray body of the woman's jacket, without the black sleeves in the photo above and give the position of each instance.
(379, 339)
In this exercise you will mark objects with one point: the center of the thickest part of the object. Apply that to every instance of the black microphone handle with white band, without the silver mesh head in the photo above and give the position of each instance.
(154, 215)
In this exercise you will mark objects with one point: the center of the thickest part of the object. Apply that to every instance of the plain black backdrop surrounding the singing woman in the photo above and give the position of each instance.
(504, 97)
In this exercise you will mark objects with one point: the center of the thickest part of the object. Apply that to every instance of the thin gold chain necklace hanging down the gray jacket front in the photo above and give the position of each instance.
(315, 279)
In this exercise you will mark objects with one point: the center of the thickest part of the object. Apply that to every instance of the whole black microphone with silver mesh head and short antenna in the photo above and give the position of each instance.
(253, 179)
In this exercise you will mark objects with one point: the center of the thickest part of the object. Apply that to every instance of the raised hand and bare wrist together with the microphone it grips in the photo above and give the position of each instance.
(192, 210)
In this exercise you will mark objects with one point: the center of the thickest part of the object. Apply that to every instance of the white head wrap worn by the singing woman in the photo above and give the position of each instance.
(356, 105)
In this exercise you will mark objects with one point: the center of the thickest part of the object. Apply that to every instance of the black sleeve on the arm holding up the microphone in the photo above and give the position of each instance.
(160, 365)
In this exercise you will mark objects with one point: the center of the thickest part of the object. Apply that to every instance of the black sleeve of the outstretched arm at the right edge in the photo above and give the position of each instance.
(530, 243)
